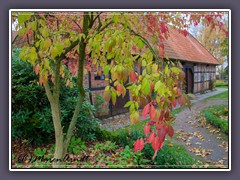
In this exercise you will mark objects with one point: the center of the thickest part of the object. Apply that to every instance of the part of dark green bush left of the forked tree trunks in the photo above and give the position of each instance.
(31, 116)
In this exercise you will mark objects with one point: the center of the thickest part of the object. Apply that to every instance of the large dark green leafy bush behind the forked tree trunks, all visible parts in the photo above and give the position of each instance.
(31, 112)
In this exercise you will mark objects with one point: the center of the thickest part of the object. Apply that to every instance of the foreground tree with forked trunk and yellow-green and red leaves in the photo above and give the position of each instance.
(111, 42)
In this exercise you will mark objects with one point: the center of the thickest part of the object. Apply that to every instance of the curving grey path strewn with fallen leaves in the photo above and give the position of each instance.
(204, 141)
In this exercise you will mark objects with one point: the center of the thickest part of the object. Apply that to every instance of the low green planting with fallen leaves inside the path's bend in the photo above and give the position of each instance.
(213, 114)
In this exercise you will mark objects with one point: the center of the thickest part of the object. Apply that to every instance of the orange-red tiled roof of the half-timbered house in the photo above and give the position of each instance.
(179, 47)
